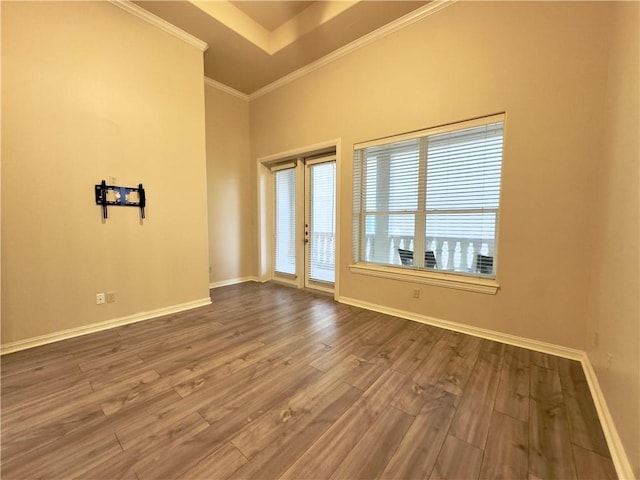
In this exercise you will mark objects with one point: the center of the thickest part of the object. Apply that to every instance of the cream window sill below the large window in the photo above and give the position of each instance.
(446, 280)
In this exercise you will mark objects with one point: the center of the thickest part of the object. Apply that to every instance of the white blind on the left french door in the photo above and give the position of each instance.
(285, 221)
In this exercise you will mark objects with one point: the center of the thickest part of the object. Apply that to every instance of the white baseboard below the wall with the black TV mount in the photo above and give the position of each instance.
(97, 327)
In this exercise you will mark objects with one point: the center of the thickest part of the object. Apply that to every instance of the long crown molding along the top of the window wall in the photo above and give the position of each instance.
(402, 22)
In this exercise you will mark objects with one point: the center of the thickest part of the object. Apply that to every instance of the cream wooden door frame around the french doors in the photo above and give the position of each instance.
(265, 211)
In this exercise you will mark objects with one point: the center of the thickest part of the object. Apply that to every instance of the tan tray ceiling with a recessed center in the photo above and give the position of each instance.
(254, 43)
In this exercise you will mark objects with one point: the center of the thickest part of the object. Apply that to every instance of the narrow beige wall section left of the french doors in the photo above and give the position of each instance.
(230, 186)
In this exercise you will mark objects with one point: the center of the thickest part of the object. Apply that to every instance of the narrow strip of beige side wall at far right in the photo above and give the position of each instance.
(615, 300)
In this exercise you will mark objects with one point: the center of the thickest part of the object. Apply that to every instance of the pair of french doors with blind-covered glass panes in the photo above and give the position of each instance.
(305, 222)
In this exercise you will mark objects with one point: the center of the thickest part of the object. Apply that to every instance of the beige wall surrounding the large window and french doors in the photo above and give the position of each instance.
(538, 62)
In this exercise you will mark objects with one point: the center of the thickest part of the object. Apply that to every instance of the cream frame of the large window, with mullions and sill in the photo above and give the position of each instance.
(418, 274)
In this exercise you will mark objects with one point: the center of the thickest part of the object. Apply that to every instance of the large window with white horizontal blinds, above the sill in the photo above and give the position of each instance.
(429, 201)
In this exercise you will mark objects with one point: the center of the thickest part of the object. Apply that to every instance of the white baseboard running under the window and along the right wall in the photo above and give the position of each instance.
(616, 448)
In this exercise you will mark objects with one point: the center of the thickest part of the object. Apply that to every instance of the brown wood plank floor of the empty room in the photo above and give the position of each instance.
(271, 382)
